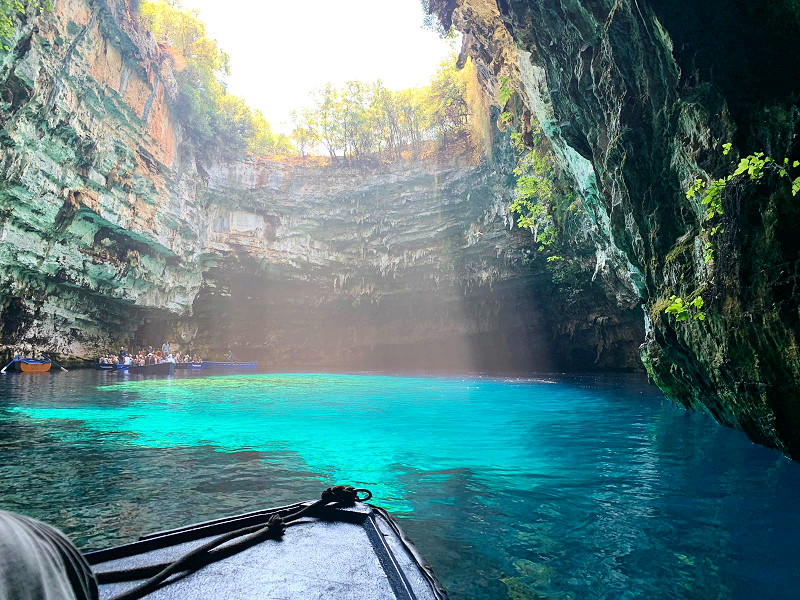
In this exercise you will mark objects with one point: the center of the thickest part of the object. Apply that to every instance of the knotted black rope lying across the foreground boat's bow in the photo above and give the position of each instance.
(211, 552)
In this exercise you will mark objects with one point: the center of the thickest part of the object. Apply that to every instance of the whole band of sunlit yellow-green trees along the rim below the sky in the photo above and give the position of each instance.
(359, 121)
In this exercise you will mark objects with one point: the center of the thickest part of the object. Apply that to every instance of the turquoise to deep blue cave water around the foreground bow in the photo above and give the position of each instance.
(581, 487)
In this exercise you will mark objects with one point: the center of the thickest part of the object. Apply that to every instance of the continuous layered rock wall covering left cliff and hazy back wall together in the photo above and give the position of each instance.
(114, 231)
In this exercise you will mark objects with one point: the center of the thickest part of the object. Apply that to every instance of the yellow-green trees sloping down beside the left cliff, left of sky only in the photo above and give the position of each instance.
(213, 117)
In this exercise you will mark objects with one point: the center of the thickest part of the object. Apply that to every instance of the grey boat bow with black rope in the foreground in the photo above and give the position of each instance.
(334, 548)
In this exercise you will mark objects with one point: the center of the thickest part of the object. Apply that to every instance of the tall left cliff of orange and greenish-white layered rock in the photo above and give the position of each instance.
(98, 220)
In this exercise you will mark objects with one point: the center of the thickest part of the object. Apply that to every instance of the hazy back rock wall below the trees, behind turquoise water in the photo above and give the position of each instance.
(407, 267)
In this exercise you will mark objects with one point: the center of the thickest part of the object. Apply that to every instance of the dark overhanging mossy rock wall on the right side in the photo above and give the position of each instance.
(636, 98)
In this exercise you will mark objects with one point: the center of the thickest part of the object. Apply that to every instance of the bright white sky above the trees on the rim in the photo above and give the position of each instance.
(280, 51)
